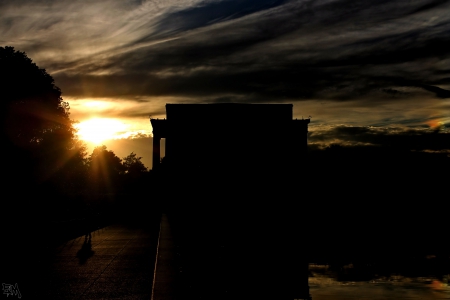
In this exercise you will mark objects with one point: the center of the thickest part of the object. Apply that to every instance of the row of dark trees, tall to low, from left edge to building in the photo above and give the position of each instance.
(39, 139)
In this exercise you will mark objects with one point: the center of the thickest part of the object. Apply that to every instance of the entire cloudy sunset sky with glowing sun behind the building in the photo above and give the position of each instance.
(363, 70)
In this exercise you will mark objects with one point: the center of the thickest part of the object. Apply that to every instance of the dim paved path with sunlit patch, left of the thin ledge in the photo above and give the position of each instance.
(115, 262)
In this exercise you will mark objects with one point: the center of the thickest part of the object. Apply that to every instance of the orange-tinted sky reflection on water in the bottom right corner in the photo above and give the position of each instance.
(352, 282)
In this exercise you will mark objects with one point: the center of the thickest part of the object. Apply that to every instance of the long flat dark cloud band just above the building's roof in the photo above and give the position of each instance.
(265, 85)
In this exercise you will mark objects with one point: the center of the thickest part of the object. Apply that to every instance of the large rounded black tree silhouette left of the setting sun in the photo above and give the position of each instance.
(38, 137)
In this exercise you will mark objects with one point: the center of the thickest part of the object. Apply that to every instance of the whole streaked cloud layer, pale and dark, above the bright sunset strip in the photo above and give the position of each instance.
(296, 49)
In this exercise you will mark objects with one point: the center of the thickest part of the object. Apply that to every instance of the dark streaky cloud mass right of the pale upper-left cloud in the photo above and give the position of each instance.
(296, 50)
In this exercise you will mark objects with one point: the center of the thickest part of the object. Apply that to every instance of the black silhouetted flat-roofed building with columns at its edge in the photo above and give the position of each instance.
(230, 132)
